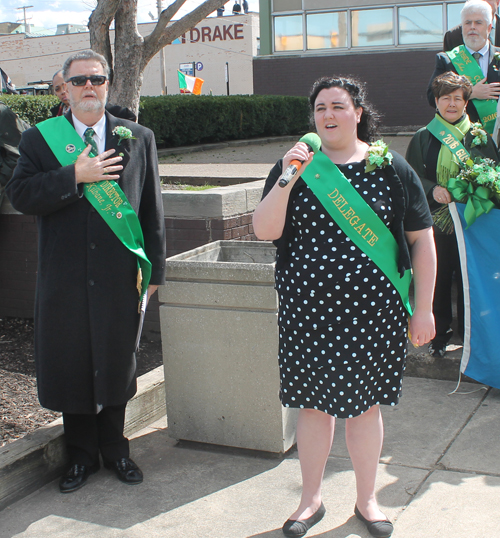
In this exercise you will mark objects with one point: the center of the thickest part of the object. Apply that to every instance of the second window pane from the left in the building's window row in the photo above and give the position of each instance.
(326, 30)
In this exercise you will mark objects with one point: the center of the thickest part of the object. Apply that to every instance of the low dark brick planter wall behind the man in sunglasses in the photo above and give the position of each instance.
(18, 257)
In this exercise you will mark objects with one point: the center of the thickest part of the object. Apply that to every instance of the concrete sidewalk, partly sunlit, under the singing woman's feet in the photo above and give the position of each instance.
(439, 476)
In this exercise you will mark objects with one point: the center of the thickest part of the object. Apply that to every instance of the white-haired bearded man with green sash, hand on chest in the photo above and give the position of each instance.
(476, 60)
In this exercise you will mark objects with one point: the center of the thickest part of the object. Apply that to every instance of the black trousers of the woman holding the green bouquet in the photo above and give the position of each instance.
(448, 262)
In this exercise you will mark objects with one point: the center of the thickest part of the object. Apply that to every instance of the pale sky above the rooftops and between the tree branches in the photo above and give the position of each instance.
(50, 13)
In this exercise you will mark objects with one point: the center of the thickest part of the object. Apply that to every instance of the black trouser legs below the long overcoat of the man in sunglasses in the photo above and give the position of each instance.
(87, 435)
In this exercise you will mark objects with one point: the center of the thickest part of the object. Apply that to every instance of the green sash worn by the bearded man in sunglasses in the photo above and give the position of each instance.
(105, 196)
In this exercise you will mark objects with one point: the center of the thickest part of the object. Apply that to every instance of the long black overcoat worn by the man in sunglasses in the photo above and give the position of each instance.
(86, 297)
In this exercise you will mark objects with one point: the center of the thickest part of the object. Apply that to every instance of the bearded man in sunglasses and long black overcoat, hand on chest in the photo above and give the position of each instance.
(86, 308)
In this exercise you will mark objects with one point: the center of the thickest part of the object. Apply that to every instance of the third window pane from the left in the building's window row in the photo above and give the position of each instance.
(372, 27)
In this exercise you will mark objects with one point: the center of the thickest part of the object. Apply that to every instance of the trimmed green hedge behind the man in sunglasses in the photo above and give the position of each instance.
(179, 120)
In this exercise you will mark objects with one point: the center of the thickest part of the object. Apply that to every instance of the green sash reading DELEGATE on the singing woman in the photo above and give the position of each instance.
(357, 220)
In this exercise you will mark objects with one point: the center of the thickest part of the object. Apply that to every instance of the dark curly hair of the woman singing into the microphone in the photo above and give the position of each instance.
(370, 119)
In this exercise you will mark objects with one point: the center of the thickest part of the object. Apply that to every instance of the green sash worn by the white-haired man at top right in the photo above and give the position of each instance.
(466, 65)
